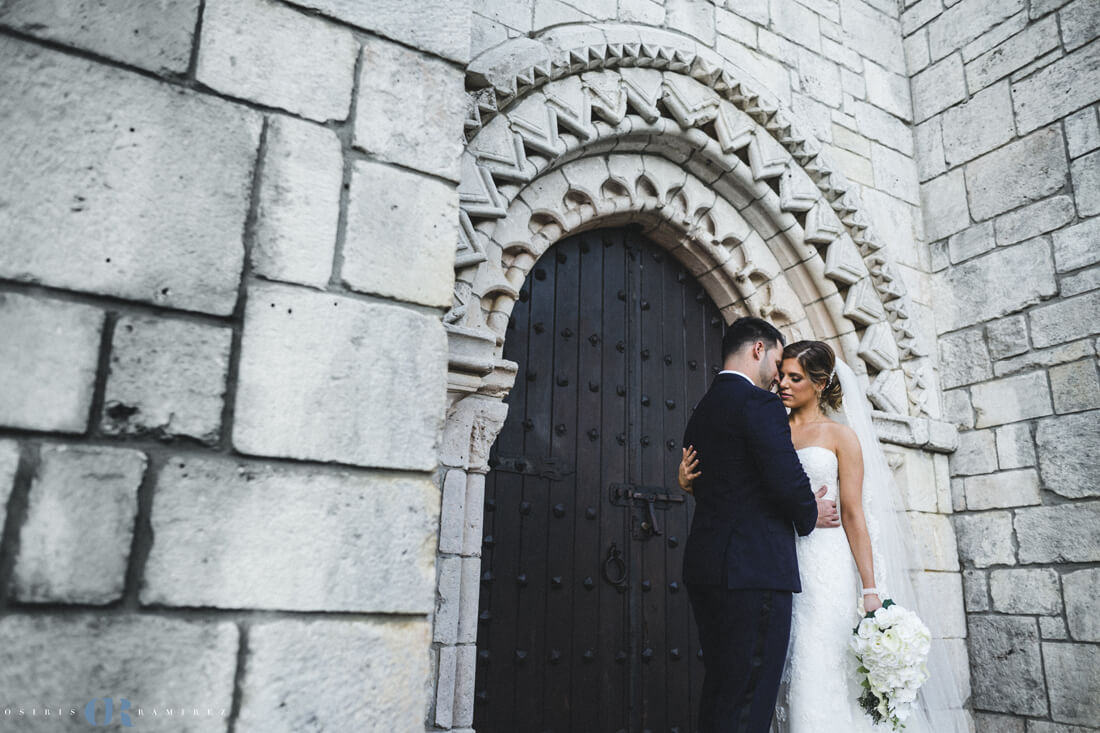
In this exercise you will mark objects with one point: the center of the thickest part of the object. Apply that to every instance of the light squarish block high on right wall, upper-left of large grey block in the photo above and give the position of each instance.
(980, 126)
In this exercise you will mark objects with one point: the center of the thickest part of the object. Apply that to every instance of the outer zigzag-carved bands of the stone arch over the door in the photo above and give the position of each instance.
(674, 104)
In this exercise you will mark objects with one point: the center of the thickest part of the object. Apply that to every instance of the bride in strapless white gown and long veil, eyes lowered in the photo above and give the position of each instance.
(839, 570)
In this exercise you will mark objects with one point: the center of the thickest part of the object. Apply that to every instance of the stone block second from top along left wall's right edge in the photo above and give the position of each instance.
(410, 110)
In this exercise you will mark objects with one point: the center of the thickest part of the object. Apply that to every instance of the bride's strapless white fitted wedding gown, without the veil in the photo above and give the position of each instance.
(820, 693)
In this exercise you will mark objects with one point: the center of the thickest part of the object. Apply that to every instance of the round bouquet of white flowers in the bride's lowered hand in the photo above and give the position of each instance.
(892, 647)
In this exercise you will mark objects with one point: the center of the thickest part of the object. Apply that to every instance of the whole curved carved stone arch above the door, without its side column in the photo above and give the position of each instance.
(689, 115)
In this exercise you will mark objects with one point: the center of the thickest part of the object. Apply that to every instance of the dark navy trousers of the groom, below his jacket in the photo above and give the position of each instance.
(744, 637)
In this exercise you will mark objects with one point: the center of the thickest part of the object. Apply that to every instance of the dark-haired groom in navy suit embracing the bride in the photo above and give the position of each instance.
(740, 563)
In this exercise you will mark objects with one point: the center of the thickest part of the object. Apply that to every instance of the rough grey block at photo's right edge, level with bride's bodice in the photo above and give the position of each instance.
(1069, 447)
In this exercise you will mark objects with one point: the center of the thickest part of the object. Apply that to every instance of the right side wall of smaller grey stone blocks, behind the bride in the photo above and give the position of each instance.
(1005, 102)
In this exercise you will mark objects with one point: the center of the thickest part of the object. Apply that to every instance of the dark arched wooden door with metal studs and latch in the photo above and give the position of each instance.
(586, 627)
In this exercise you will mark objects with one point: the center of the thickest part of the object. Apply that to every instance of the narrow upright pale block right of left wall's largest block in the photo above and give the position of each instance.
(299, 204)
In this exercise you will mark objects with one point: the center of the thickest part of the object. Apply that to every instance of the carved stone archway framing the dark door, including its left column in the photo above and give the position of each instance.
(617, 125)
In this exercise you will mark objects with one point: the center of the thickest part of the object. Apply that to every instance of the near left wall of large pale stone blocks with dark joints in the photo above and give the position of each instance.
(227, 235)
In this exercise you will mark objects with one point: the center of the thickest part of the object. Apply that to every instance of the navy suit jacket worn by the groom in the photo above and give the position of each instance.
(753, 495)
